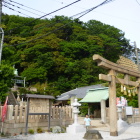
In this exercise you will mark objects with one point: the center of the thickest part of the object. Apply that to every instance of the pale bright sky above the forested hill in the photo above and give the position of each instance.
(122, 14)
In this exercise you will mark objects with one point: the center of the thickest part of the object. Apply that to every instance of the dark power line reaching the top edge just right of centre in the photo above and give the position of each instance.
(45, 15)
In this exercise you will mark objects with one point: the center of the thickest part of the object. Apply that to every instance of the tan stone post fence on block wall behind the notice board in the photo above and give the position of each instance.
(16, 118)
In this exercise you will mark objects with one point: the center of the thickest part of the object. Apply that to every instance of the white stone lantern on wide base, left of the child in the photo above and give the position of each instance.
(75, 127)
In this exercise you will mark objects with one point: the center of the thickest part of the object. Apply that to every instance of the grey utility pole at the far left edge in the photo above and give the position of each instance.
(1, 32)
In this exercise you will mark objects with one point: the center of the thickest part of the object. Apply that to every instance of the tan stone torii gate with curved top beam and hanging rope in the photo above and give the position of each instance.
(113, 69)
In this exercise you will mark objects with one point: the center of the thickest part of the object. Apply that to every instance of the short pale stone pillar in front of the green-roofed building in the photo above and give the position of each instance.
(103, 111)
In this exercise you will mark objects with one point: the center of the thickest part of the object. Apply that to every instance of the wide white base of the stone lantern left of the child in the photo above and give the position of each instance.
(75, 128)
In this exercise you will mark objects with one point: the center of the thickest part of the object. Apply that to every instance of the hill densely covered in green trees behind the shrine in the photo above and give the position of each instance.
(58, 52)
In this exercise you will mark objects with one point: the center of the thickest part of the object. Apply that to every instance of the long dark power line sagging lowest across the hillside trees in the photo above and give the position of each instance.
(83, 14)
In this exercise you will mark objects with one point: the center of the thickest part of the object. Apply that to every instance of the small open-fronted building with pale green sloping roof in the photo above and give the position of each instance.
(99, 98)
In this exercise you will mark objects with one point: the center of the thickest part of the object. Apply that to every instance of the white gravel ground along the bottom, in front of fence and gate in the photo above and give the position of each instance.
(131, 132)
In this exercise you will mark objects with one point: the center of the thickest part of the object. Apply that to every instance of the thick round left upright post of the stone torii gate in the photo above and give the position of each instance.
(112, 104)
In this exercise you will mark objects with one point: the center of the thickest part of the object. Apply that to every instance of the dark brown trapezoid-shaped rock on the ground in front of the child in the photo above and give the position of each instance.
(92, 135)
